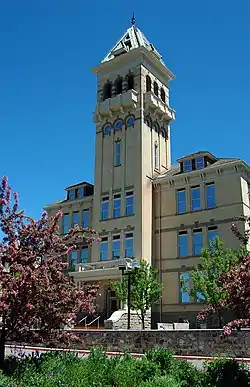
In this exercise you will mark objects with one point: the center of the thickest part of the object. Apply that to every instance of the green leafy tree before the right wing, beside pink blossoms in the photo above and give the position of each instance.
(206, 287)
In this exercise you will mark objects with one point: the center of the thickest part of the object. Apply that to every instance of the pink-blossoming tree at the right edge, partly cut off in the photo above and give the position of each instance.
(236, 283)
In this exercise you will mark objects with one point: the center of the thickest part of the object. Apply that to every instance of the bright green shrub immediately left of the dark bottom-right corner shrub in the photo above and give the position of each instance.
(187, 374)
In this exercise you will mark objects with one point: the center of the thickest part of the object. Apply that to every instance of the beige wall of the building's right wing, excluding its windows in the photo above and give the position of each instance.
(232, 200)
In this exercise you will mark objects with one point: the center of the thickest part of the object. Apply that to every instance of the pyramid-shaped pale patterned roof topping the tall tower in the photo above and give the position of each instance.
(133, 38)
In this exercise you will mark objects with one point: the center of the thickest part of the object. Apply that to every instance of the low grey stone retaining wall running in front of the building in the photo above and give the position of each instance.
(190, 342)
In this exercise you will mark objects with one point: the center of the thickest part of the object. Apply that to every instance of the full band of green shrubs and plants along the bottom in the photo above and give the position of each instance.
(157, 369)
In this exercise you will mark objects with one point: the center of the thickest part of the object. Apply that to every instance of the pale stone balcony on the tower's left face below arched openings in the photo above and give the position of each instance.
(117, 103)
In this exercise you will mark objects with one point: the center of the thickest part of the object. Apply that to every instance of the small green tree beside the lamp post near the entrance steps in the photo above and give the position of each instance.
(145, 289)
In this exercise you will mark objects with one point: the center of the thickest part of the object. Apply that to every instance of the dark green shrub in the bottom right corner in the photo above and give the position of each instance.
(227, 373)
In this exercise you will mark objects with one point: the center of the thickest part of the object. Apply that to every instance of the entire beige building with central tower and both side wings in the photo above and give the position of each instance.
(141, 205)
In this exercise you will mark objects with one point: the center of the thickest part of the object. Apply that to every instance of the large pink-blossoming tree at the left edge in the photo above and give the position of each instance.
(37, 300)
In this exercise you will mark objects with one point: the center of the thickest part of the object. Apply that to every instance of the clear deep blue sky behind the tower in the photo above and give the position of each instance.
(47, 89)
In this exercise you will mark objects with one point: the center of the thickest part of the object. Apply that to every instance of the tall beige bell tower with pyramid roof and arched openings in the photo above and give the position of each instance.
(132, 119)
